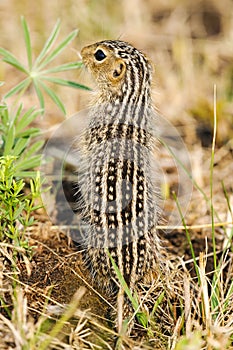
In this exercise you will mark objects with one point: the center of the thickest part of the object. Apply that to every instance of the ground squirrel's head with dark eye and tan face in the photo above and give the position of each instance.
(116, 65)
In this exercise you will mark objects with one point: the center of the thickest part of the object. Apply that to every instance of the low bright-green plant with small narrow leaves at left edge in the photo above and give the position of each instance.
(16, 205)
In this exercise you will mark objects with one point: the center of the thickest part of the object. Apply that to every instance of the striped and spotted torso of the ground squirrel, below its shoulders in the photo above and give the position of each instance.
(118, 192)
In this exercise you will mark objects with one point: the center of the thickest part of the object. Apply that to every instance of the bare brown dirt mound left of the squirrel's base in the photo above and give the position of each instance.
(57, 271)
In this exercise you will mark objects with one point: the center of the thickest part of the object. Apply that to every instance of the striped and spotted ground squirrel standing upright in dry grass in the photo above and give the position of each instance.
(119, 198)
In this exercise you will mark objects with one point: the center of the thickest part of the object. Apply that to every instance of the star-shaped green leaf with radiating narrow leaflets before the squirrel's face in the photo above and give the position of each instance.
(37, 73)
